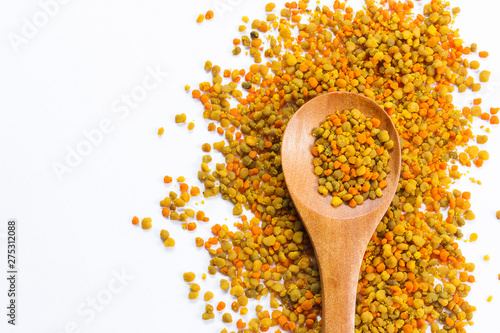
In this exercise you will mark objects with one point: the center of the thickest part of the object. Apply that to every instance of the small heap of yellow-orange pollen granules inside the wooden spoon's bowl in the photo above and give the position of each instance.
(350, 157)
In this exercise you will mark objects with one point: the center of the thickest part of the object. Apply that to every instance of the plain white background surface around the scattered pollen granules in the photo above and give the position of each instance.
(76, 232)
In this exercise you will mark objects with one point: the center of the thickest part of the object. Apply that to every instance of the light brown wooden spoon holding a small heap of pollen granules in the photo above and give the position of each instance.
(339, 234)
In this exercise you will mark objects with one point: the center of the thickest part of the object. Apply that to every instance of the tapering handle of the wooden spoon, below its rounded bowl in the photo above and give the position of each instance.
(339, 248)
